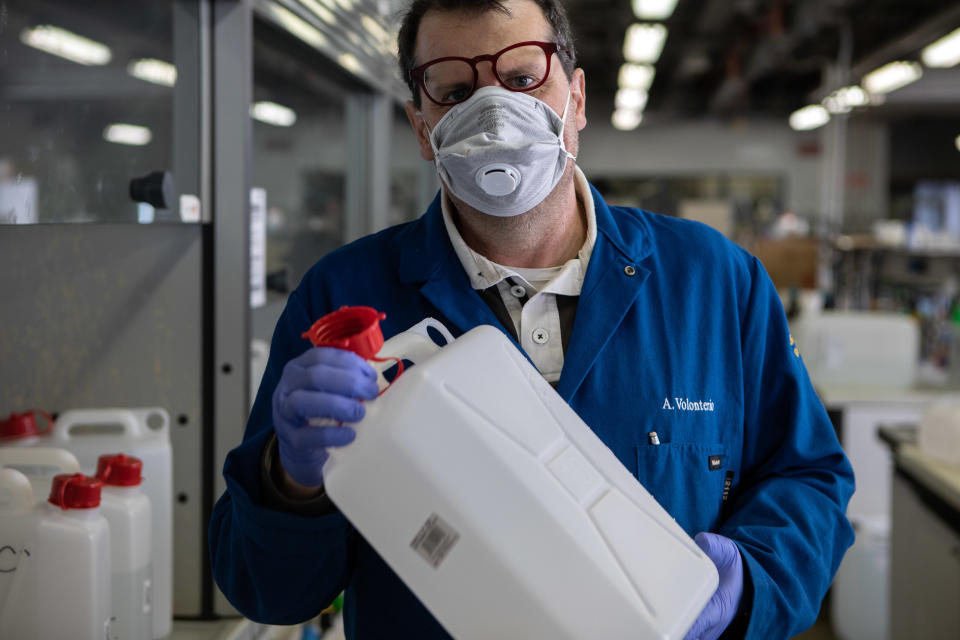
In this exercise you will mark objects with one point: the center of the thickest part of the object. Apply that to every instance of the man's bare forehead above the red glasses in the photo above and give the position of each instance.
(469, 34)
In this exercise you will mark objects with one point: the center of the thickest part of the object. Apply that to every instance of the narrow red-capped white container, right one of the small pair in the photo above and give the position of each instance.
(127, 510)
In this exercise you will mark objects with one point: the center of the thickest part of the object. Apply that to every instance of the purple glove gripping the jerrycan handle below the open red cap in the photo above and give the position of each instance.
(324, 383)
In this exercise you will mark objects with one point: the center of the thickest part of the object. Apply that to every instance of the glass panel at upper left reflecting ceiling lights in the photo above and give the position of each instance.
(86, 106)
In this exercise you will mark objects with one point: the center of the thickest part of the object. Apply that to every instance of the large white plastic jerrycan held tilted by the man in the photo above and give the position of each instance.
(500, 508)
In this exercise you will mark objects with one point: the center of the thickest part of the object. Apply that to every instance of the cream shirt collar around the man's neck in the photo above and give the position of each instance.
(485, 273)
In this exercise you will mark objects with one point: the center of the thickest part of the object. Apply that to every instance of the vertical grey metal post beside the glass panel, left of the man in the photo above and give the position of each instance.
(232, 134)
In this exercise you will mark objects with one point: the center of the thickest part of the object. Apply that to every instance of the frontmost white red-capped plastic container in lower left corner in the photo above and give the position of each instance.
(61, 586)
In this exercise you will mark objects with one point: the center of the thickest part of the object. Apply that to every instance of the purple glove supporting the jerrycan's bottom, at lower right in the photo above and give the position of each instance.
(722, 607)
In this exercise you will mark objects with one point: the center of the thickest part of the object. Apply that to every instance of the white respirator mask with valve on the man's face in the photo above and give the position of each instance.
(501, 152)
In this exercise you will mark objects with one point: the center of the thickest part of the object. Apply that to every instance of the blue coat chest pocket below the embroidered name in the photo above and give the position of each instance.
(687, 479)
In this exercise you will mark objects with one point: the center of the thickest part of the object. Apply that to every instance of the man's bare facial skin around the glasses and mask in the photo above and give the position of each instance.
(468, 35)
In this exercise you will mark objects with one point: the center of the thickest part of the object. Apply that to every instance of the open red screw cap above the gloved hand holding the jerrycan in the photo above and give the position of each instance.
(354, 329)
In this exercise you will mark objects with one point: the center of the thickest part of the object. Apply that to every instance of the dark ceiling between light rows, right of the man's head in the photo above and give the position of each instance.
(731, 58)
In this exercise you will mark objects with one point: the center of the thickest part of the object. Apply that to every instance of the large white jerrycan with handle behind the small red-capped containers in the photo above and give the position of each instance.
(144, 434)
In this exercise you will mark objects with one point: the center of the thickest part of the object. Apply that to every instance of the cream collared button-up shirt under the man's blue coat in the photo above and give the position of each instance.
(530, 295)
